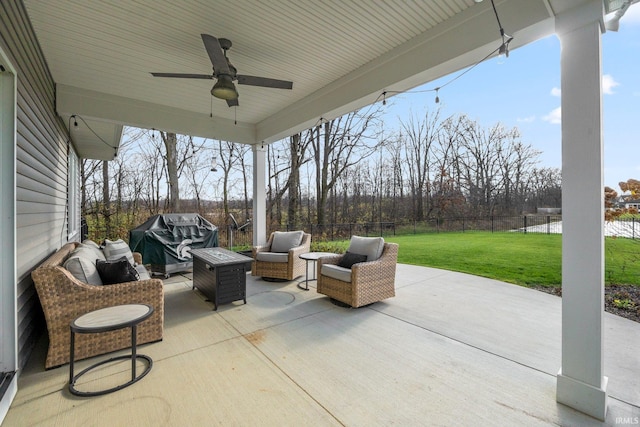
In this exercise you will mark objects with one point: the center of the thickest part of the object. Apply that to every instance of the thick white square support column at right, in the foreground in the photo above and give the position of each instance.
(580, 382)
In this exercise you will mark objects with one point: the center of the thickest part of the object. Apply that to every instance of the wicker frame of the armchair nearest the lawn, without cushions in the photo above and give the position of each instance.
(371, 281)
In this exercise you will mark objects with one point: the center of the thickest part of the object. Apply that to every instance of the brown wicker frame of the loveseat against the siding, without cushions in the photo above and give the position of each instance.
(64, 298)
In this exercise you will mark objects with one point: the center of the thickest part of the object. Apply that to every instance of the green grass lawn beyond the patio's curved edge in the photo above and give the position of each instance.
(523, 259)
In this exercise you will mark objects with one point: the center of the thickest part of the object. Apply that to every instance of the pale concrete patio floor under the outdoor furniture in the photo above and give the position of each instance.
(449, 349)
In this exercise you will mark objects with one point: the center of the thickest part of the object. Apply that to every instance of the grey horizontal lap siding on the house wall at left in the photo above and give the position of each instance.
(41, 167)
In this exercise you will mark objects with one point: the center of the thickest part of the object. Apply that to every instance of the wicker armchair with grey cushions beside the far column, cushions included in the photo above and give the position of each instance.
(279, 258)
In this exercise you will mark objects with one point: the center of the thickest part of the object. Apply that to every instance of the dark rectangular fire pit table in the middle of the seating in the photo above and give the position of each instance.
(220, 274)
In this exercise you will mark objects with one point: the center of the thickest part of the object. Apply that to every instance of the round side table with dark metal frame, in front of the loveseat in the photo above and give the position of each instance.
(105, 320)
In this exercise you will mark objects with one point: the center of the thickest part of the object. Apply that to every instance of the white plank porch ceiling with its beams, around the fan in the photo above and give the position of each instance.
(340, 55)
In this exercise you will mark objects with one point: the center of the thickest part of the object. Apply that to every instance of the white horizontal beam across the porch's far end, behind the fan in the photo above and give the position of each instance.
(132, 112)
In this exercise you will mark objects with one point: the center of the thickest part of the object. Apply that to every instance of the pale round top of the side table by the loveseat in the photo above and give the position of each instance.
(112, 317)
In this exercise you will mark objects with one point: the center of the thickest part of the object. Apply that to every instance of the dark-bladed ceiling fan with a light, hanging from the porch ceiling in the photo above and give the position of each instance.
(225, 73)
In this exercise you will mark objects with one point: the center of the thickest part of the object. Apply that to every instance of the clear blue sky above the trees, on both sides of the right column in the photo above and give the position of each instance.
(523, 91)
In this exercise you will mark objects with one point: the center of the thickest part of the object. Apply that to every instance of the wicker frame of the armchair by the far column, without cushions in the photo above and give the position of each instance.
(274, 269)
